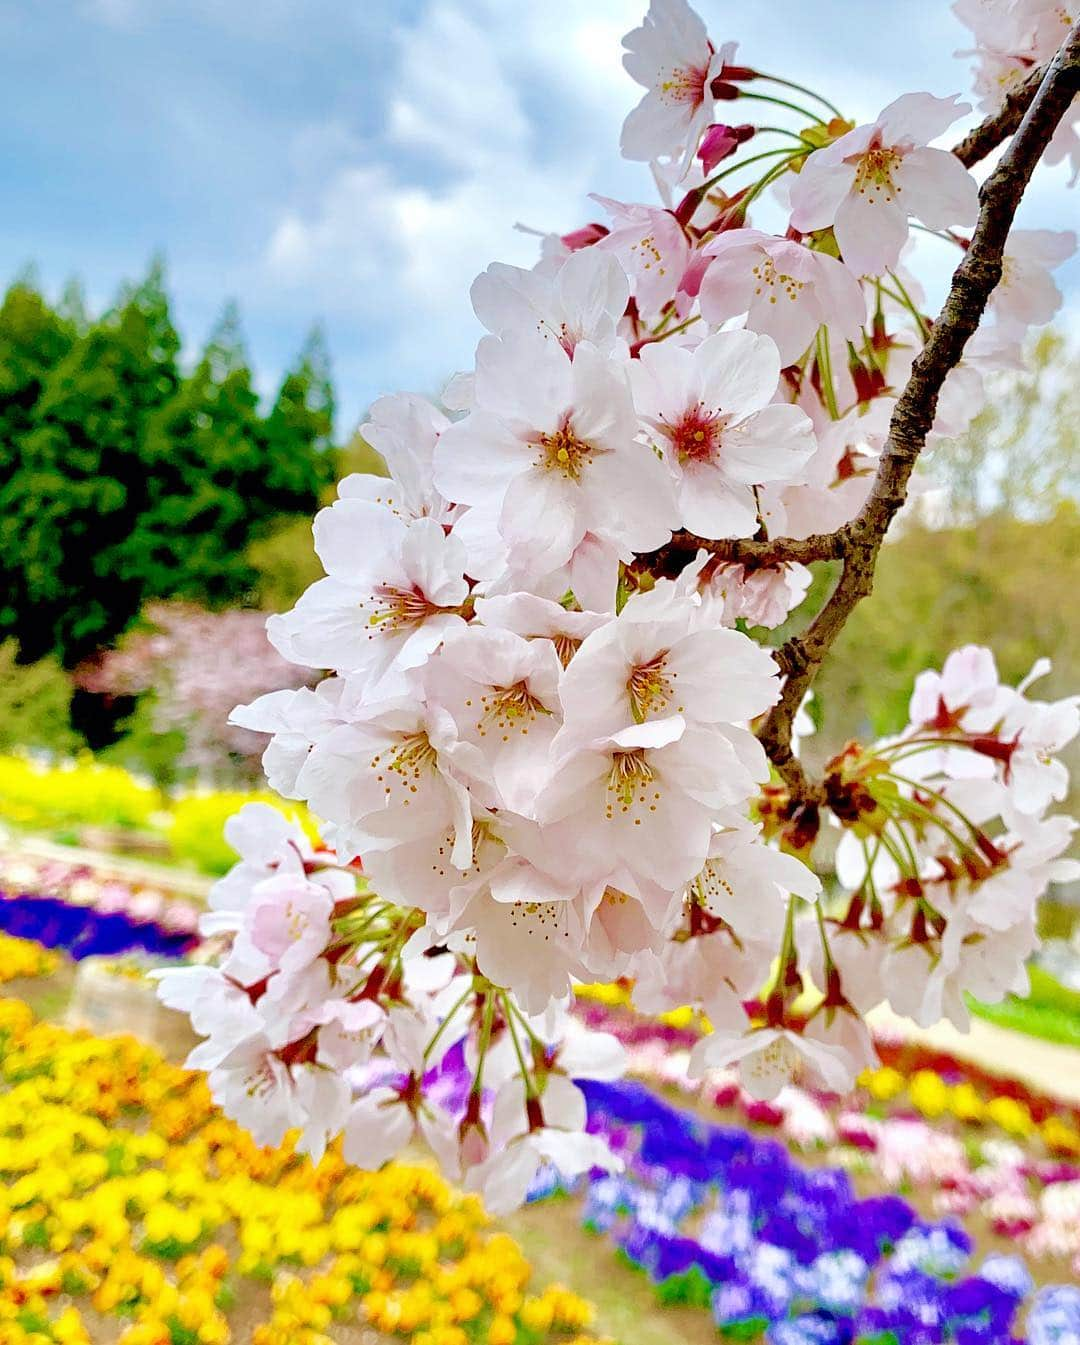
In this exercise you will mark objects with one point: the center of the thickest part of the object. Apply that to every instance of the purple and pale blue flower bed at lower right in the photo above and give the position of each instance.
(779, 1253)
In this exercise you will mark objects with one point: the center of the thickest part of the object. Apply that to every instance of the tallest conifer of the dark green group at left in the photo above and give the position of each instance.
(81, 484)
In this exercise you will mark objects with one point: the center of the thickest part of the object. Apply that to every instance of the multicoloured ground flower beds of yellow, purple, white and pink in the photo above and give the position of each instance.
(938, 1203)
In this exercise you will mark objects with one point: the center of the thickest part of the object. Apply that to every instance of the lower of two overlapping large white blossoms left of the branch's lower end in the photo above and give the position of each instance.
(648, 796)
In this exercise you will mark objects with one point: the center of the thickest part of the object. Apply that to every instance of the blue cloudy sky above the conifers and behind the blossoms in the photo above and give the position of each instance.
(360, 161)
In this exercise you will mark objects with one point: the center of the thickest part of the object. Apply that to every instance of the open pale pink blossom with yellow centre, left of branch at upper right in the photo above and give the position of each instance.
(871, 182)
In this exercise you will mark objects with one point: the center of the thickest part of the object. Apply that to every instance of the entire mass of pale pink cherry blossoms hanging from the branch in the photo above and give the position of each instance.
(533, 750)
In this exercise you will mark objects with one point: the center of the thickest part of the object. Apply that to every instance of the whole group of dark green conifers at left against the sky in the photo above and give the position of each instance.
(128, 482)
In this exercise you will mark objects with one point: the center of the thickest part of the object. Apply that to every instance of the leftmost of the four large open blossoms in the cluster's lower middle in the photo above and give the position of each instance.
(391, 777)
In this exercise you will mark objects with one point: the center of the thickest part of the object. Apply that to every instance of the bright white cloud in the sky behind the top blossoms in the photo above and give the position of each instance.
(504, 111)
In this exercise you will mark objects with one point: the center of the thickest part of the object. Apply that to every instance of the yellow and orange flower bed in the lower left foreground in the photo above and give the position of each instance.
(127, 1198)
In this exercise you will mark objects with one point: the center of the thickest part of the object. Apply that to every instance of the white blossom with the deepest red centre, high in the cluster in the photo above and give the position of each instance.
(711, 412)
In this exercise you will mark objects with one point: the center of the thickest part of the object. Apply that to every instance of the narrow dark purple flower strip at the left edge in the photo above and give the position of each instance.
(85, 933)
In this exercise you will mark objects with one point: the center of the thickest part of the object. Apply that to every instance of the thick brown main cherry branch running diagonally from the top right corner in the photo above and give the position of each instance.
(973, 283)
